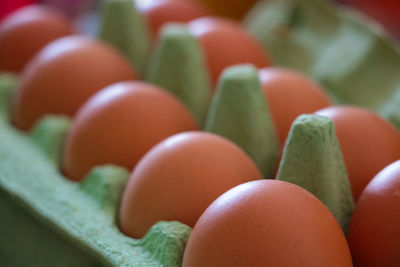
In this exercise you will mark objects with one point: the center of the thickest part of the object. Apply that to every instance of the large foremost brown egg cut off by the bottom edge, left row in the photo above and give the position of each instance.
(267, 223)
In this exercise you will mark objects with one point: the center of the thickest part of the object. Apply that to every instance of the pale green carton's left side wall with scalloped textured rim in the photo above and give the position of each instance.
(47, 220)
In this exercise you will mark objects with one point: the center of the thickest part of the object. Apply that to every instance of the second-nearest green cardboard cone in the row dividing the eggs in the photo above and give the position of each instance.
(240, 113)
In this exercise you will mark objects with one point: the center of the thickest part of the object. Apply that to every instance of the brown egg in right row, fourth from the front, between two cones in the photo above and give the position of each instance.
(226, 43)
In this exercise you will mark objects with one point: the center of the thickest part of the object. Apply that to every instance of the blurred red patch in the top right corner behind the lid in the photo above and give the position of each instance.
(387, 12)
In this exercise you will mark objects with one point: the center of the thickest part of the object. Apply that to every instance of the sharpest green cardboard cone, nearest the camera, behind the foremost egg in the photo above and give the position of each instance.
(313, 160)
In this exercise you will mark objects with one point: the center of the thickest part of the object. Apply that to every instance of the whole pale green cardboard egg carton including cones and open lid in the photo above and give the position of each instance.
(48, 220)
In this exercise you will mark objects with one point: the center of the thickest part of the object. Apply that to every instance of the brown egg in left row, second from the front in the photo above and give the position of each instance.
(177, 180)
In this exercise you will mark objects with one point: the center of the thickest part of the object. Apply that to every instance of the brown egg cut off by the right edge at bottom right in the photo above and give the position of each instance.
(374, 233)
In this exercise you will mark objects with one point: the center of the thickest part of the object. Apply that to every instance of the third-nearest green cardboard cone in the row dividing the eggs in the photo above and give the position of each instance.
(177, 65)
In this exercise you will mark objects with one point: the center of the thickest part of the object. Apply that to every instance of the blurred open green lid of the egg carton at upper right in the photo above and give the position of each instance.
(349, 54)
